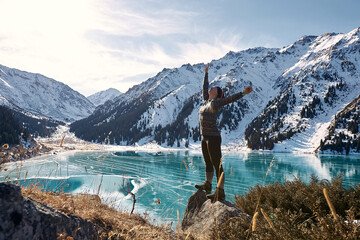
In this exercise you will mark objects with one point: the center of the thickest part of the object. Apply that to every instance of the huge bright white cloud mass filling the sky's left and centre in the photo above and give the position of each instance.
(92, 45)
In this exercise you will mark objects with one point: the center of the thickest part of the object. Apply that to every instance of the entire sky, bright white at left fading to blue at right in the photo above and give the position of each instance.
(92, 45)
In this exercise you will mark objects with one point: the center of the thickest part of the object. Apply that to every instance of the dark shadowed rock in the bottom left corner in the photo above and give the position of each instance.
(22, 218)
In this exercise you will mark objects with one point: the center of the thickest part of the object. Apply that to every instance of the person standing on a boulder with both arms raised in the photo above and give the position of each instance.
(214, 100)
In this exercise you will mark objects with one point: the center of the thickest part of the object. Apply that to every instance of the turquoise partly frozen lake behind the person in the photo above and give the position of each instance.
(163, 181)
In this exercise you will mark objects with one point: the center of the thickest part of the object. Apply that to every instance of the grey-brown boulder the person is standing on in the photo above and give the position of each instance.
(201, 216)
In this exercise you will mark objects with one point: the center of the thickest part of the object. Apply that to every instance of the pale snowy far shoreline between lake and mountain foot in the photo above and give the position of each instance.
(64, 141)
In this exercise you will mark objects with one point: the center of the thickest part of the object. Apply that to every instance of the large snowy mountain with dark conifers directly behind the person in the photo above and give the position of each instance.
(298, 89)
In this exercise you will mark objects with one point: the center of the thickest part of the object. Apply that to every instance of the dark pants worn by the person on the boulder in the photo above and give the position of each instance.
(211, 149)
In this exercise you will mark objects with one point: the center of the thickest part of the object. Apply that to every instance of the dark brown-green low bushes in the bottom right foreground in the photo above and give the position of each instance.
(295, 210)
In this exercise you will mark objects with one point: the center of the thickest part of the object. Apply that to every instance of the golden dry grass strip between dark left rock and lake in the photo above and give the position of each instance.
(111, 224)
